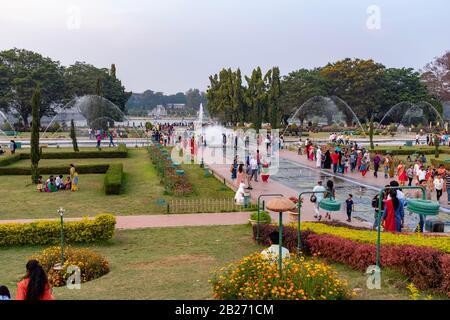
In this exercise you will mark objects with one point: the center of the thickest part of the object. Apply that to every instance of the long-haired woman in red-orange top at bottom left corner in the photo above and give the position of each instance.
(35, 284)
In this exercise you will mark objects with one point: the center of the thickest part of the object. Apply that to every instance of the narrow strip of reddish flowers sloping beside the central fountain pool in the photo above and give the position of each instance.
(176, 184)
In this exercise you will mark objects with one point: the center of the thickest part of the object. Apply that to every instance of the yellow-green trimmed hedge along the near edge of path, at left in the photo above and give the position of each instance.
(48, 232)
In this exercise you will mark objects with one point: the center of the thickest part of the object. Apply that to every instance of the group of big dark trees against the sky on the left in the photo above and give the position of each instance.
(21, 71)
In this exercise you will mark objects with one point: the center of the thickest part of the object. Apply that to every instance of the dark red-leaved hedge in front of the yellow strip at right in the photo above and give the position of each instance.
(426, 267)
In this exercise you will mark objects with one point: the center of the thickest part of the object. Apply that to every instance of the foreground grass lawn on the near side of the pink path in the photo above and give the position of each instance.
(174, 263)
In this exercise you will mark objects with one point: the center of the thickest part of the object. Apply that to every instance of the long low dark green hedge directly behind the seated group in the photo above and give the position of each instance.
(83, 169)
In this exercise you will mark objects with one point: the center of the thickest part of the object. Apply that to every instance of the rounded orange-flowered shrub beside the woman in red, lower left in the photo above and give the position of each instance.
(92, 265)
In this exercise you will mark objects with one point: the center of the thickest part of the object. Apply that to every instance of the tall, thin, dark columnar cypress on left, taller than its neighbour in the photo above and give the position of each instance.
(34, 141)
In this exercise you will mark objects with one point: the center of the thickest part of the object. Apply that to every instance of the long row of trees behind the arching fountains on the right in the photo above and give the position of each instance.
(368, 87)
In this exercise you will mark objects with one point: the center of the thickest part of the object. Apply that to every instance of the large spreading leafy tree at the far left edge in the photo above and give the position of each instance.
(26, 70)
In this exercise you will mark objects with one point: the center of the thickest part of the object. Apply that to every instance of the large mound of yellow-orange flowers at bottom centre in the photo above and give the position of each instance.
(255, 278)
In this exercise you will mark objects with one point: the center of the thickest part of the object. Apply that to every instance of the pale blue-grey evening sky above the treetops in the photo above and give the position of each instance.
(174, 45)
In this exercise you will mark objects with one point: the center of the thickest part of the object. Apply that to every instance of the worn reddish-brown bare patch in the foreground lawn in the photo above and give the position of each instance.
(183, 259)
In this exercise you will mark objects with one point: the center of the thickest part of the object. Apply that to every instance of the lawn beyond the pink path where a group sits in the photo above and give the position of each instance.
(19, 198)
